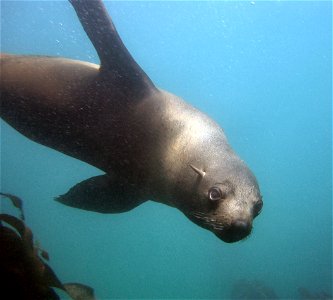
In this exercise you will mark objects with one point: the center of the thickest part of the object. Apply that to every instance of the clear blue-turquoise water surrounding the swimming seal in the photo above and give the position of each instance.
(262, 70)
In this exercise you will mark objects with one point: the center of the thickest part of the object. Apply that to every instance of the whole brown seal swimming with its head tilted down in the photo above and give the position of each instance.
(151, 144)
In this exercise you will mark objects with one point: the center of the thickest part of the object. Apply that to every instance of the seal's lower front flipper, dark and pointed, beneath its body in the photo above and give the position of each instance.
(102, 194)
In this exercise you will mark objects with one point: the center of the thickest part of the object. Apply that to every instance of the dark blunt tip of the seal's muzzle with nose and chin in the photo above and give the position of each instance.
(235, 232)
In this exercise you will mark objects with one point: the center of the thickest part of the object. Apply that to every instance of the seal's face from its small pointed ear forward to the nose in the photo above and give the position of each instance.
(227, 199)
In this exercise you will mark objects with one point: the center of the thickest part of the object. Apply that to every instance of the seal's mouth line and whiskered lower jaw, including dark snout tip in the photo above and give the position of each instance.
(232, 233)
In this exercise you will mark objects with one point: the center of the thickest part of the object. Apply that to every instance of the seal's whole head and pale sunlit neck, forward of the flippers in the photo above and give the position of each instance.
(203, 177)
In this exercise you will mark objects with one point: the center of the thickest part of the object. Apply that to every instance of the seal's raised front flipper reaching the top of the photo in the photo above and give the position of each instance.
(116, 61)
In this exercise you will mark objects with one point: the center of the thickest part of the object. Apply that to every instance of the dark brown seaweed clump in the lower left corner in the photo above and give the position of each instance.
(23, 268)
